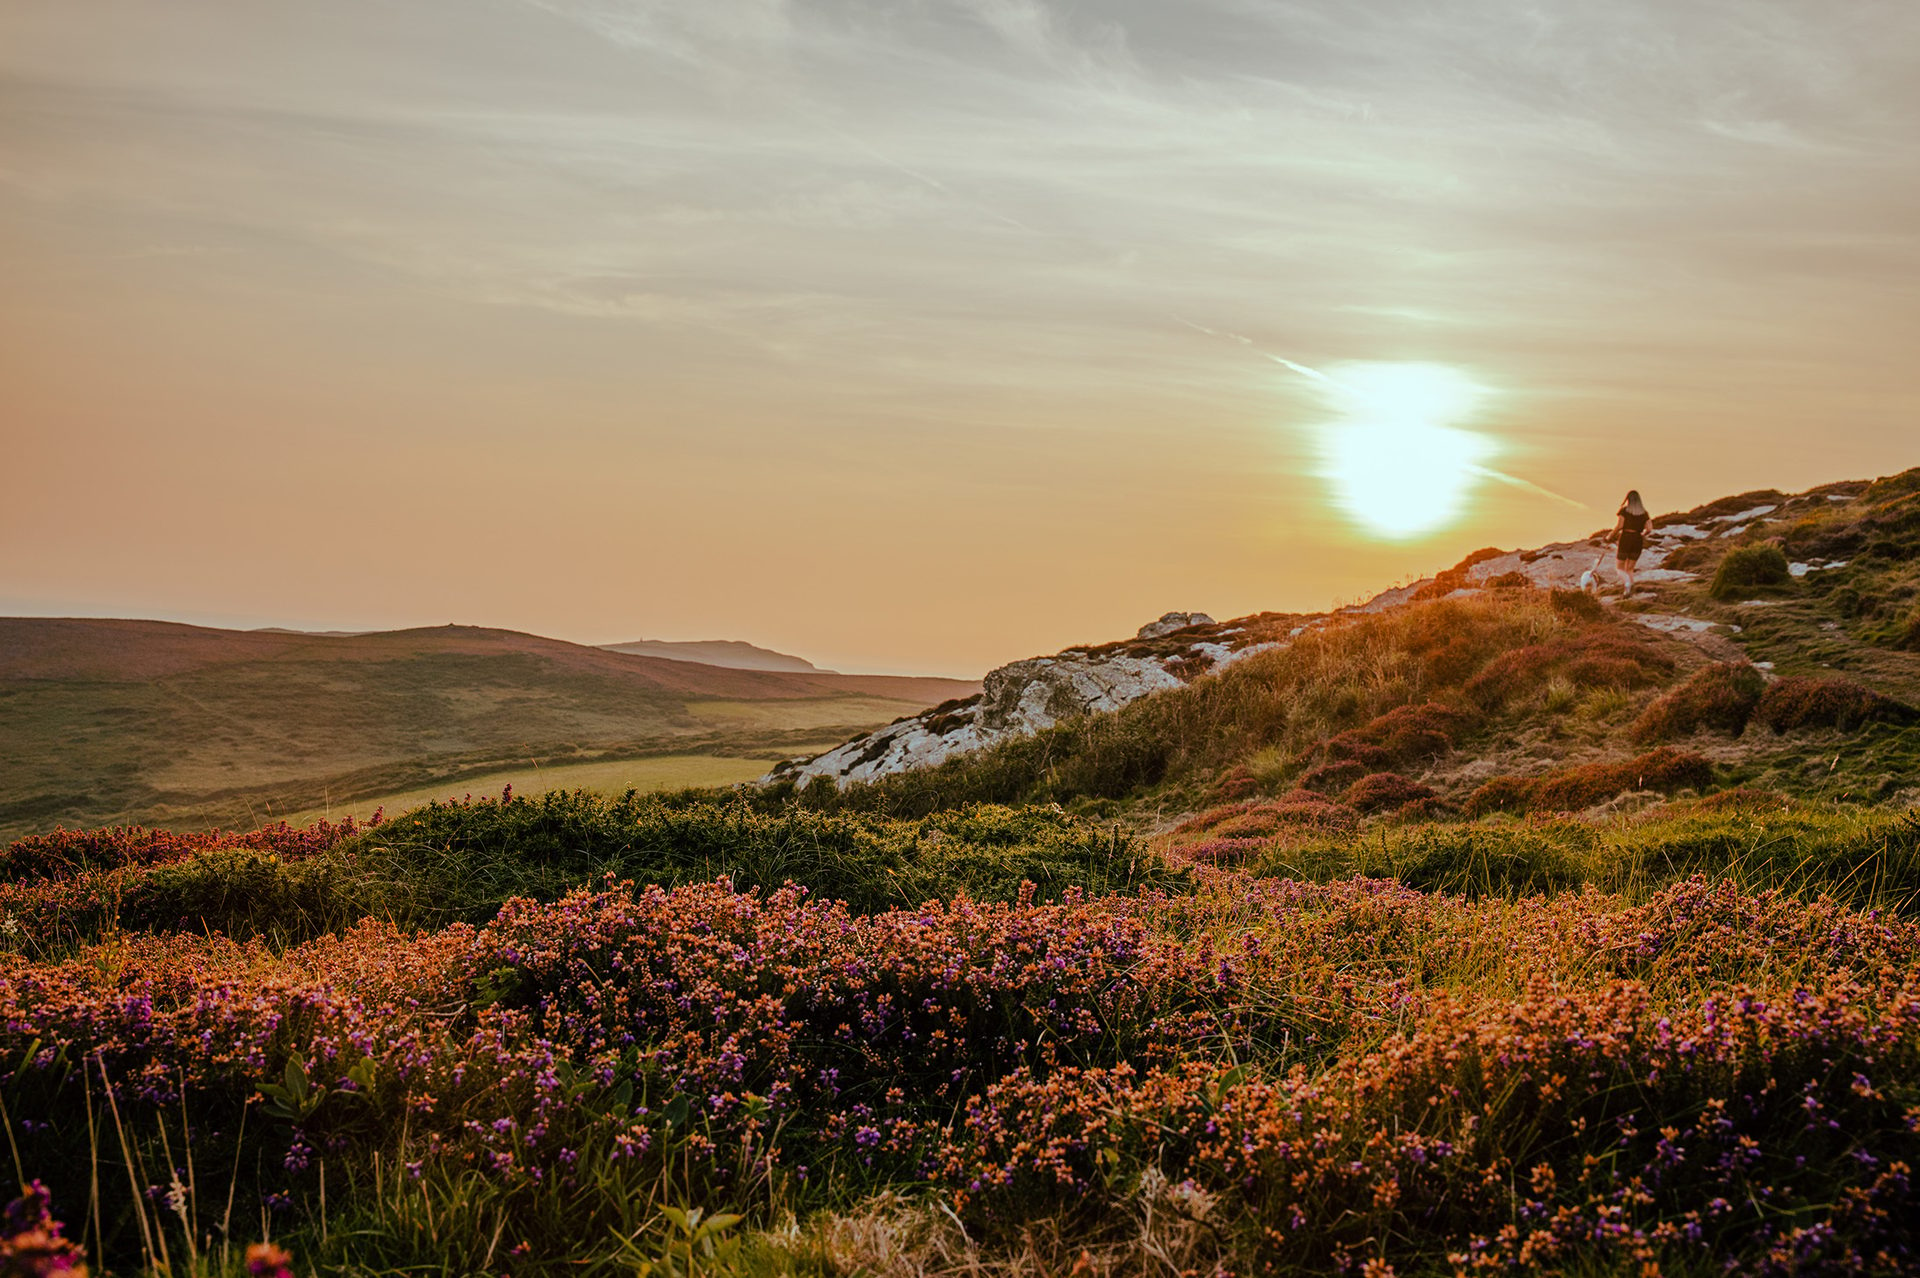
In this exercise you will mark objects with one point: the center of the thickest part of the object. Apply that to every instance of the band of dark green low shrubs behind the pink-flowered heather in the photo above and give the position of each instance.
(462, 861)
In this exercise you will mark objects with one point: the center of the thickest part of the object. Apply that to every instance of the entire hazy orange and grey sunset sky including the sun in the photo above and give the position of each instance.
(921, 335)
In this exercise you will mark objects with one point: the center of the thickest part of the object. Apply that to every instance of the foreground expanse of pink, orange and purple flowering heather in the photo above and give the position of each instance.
(1330, 1076)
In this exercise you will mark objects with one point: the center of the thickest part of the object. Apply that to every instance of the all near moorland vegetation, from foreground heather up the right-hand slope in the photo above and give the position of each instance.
(1489, 934)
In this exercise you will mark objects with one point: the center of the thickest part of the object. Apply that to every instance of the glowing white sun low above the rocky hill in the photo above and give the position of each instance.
(1397, 461)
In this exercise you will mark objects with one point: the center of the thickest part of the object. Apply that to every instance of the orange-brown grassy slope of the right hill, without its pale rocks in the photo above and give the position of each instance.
(1539, 684)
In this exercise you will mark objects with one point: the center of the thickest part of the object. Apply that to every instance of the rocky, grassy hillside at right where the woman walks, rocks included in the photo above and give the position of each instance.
(1792, 613)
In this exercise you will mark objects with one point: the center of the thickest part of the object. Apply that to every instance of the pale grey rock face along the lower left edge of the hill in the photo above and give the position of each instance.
(1042, 692)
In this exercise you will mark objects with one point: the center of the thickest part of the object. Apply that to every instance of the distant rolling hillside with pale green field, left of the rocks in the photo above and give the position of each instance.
(120, 721)
